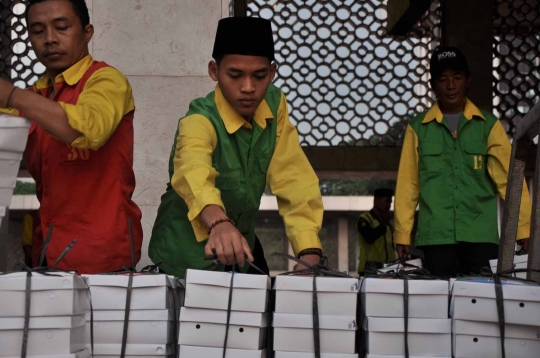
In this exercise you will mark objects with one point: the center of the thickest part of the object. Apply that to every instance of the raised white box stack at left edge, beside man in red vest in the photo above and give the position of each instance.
(13, 136)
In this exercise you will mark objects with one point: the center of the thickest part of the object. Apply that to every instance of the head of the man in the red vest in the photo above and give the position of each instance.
(57, 35)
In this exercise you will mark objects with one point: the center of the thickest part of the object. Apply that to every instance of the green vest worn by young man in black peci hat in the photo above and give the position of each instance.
(242, 160)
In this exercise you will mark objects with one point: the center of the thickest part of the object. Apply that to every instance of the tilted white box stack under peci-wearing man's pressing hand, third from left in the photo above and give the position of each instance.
(204, 315)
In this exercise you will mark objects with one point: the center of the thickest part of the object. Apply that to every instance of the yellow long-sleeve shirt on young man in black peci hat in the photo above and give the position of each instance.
(290, 176)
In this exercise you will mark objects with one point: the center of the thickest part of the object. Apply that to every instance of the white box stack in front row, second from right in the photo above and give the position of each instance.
(429, 329)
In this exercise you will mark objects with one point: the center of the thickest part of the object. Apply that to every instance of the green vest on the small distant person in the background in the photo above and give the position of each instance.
(382, 250)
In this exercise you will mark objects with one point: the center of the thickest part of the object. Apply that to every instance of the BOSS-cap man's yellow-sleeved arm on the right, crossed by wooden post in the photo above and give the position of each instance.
(498, 161)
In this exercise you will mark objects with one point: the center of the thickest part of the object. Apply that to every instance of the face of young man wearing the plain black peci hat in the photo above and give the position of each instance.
(243, 80)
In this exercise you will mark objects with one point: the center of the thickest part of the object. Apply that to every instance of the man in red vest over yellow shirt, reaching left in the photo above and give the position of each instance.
(80, 144)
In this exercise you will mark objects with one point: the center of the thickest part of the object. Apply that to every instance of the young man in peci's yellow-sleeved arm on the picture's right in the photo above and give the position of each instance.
(292, 179)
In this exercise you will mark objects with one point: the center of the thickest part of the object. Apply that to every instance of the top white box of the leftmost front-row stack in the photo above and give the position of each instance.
(58, 294)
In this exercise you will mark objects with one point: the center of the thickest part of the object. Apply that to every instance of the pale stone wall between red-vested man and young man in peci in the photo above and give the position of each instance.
(163, 47)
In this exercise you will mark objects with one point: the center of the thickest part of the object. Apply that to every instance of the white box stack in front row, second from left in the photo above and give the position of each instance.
(151, 319)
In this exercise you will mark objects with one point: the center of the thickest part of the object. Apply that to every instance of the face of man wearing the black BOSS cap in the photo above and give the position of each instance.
(451, 89)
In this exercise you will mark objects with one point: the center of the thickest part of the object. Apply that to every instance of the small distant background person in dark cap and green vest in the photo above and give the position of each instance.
(375, 229)
